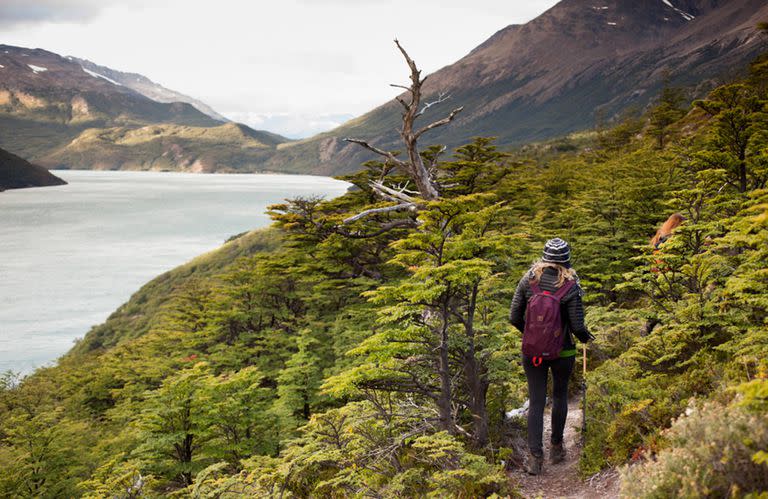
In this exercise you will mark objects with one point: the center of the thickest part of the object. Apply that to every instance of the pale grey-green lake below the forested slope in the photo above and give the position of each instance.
(70, 255)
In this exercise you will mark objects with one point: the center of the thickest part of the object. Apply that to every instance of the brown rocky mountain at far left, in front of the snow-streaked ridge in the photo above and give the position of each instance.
(46, 100)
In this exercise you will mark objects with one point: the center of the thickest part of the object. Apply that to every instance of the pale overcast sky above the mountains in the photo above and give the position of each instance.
(294, 67)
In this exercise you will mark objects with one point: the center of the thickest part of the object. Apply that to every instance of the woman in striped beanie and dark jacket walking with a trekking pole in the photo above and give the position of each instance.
(550, 290)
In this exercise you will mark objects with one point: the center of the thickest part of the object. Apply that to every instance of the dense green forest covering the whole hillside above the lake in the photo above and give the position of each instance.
(361, 346)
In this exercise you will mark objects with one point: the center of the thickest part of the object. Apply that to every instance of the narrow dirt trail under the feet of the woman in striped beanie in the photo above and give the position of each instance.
(562, 480)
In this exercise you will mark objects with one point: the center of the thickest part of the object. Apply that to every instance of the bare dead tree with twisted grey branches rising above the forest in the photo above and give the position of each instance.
(422, 175)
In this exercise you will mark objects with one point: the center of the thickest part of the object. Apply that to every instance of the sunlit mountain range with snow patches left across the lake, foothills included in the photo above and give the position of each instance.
(64, 112)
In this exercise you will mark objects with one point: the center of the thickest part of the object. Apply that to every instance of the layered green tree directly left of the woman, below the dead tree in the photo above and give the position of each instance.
(429, 318)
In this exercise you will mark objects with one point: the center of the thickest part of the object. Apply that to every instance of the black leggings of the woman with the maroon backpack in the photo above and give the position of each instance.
(537, 395)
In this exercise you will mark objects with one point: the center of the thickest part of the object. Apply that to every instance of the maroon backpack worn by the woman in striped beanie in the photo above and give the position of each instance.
(543, 333)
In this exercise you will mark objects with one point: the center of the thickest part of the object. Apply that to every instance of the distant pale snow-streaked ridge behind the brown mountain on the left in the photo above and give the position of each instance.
(146, 87)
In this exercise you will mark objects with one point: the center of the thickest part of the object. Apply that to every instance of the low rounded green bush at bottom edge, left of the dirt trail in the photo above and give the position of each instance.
(351, 451)
